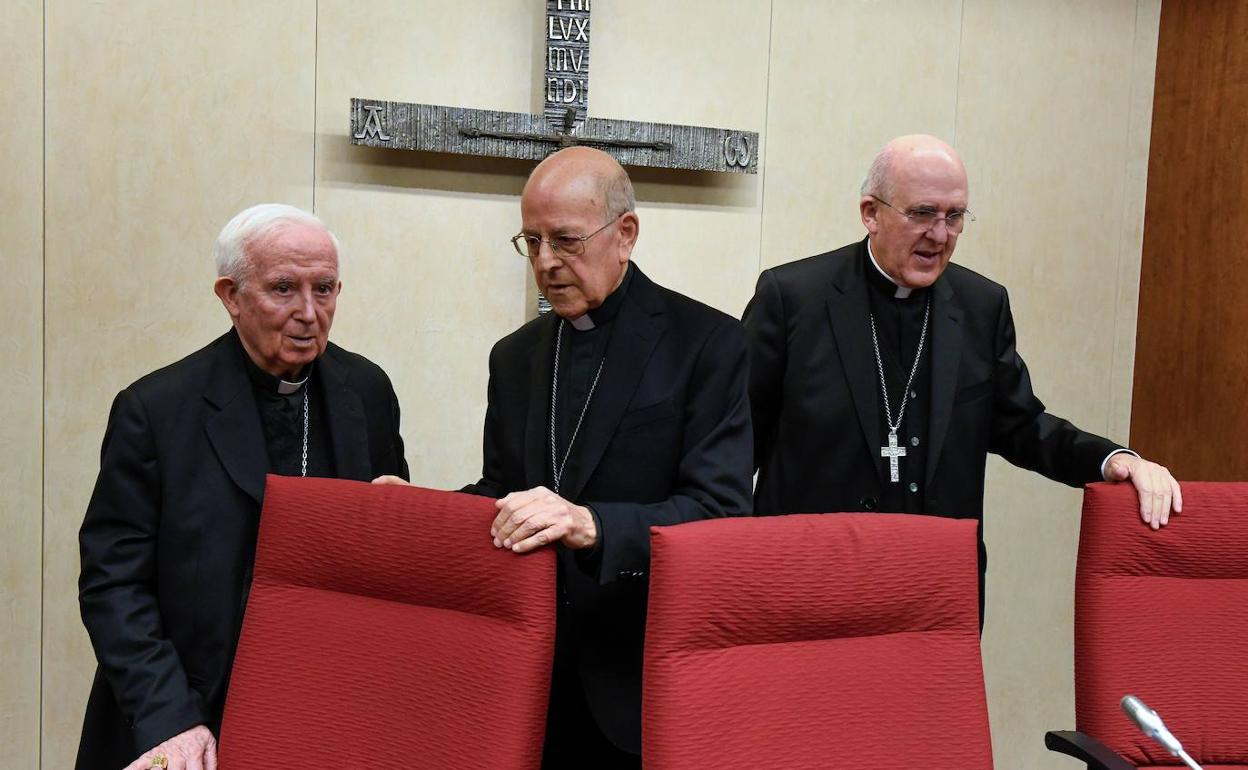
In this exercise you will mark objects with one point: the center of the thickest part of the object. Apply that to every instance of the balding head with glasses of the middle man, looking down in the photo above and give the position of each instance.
(580, 203)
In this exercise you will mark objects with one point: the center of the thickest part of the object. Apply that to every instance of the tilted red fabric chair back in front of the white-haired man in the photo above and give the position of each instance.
(385, 630)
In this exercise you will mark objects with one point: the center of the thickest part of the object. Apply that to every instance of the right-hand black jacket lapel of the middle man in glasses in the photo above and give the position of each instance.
(638, 329)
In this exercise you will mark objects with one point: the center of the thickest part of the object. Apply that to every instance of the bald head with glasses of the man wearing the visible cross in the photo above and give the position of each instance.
(914, 208)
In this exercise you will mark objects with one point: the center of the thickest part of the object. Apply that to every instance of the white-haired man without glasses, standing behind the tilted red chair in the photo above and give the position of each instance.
(169, 539)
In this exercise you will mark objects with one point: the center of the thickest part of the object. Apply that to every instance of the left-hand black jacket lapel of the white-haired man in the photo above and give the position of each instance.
(235, 431)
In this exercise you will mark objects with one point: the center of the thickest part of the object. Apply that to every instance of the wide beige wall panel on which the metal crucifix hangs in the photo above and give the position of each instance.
(432, 283)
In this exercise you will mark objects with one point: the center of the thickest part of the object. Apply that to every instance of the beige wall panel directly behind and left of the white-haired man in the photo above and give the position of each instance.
(163, 122)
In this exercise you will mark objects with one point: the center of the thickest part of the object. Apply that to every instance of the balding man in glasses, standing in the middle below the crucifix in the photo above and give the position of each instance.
(626, 407)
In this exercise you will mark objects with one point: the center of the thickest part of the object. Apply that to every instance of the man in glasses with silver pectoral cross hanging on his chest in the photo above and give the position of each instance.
(882, 376)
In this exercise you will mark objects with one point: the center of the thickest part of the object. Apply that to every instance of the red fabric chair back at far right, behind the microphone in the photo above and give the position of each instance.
(1164, 616)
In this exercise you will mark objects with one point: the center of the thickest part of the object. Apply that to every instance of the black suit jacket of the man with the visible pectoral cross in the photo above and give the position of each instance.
(814, 391)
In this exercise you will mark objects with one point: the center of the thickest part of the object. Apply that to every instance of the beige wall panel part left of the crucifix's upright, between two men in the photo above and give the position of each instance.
(430, 278)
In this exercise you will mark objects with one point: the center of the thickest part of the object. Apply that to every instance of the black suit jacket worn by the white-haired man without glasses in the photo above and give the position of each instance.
(169, 539)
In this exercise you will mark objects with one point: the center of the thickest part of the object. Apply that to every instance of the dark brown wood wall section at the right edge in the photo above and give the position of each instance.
(1190, 407)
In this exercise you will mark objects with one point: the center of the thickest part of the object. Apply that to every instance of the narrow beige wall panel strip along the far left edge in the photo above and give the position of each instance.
(22, 349)
